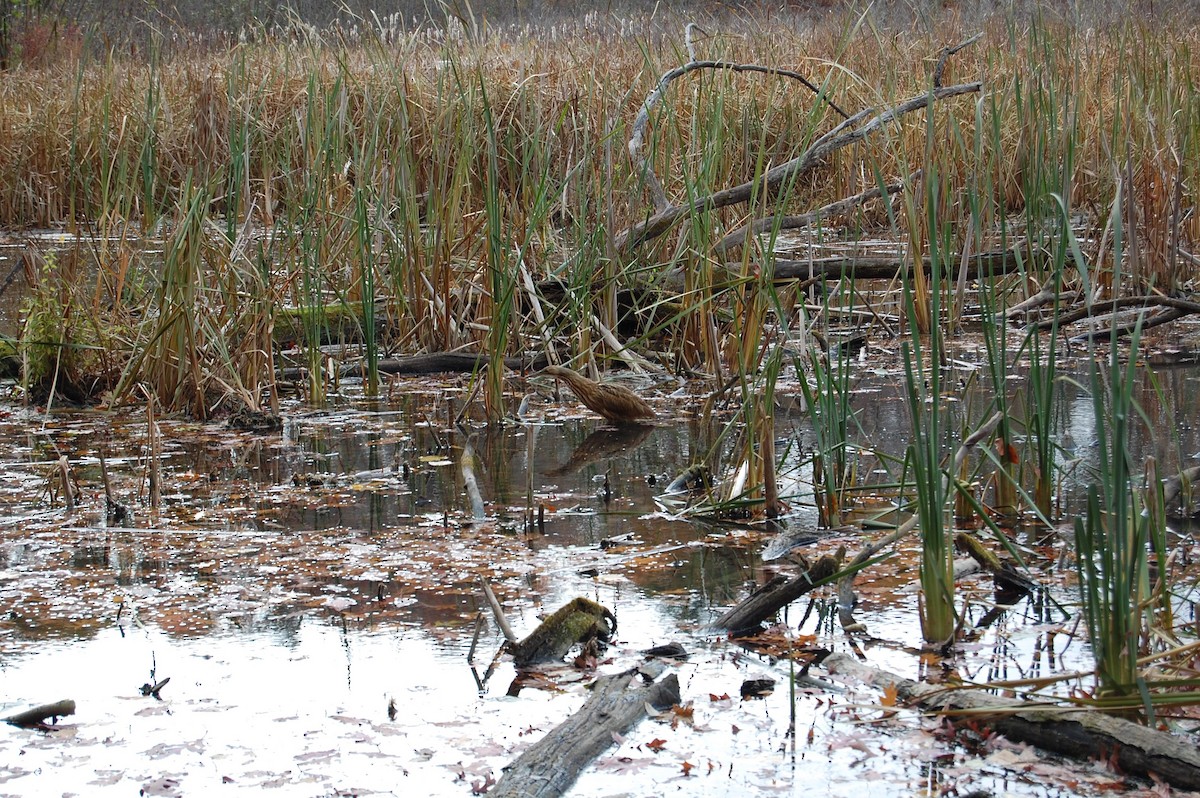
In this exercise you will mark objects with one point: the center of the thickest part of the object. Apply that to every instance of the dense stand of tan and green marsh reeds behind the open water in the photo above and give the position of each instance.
(436, 176)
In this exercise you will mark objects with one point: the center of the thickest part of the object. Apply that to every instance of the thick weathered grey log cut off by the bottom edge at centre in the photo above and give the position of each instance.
(617, 704)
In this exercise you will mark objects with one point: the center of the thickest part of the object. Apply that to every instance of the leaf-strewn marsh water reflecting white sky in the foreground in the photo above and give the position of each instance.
(313, 597)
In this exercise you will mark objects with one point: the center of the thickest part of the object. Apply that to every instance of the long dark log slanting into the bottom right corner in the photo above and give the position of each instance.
(1073, 733)
